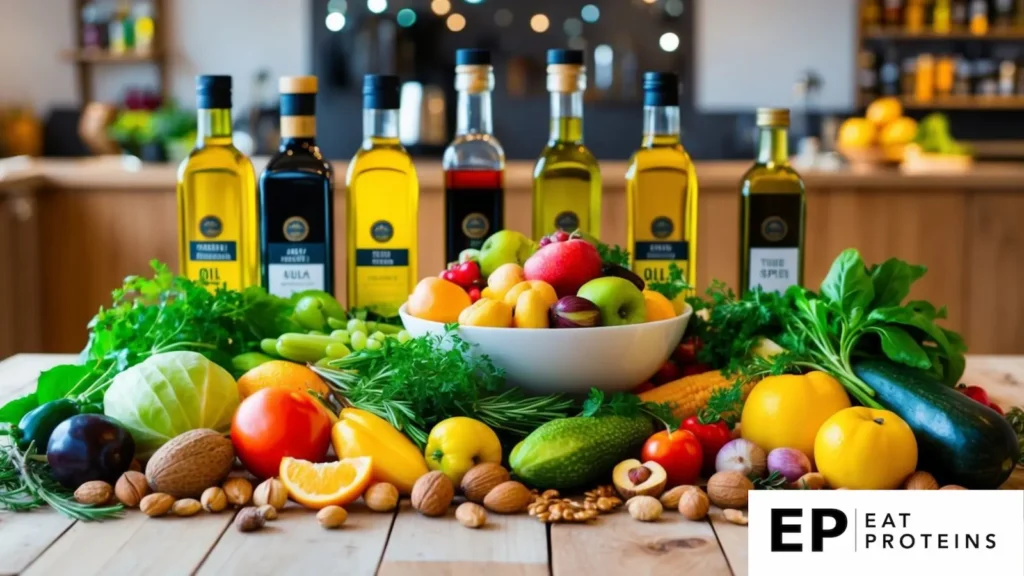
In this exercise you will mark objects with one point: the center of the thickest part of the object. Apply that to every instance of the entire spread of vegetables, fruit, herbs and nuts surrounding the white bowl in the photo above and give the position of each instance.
(765, 392)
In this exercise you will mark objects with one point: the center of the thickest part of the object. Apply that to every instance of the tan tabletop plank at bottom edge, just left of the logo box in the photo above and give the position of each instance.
(618, 545)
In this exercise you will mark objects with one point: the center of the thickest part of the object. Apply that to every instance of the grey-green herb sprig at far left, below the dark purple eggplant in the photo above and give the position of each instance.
(26, 484)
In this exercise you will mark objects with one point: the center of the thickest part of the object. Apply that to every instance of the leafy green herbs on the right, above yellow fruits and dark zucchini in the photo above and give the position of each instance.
(860, 314)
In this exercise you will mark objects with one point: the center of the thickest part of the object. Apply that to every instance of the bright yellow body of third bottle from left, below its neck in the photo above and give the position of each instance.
(386, 236)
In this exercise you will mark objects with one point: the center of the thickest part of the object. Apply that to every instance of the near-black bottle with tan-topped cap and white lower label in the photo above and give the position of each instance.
(296, 199)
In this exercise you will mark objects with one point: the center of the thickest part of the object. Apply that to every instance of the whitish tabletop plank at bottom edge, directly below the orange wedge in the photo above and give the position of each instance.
(295, 544)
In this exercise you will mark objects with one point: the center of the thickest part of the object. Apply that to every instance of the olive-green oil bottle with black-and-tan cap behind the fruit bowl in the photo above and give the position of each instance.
(567, 179)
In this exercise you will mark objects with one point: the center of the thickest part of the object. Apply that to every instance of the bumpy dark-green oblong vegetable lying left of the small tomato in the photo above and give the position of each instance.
(578, 452)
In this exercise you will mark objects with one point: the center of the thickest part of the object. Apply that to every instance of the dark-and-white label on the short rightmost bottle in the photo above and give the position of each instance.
(775, 241)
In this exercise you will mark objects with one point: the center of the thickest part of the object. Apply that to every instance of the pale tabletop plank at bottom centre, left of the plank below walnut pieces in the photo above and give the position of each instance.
(507, 546)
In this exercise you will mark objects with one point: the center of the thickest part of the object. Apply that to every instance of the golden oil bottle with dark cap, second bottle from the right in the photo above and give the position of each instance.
(662, 189)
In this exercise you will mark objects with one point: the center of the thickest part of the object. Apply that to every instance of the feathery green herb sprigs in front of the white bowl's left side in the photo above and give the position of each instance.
(416, 385)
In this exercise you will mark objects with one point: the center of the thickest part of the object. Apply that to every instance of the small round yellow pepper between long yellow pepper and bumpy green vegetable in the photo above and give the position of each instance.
(458, 444)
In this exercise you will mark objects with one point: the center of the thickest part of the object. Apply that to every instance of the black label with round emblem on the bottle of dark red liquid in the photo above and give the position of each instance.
(474, 215)
